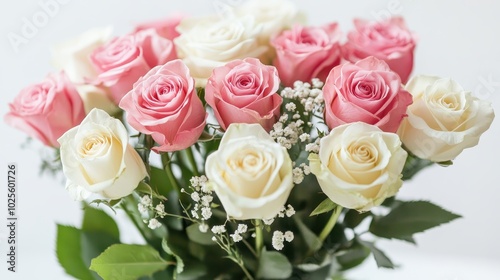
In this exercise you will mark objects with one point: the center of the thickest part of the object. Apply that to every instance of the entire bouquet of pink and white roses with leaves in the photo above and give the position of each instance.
(245, 145)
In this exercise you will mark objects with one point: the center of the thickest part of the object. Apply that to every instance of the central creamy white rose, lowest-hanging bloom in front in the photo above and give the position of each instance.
(250, 173)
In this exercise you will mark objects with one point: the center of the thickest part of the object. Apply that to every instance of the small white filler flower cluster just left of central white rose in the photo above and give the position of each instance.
(202, 197)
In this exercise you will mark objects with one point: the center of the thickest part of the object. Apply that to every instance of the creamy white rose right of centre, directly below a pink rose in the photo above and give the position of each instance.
(359, 165)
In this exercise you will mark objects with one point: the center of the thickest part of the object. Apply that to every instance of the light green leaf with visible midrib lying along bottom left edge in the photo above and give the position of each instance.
(128, 262)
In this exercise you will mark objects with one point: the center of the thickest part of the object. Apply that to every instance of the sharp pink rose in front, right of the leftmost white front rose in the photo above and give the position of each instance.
(164, 104)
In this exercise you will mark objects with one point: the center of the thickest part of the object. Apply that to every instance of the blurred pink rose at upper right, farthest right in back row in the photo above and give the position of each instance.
(388, 40)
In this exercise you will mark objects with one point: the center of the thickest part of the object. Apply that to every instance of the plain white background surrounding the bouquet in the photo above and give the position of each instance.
(457, 39)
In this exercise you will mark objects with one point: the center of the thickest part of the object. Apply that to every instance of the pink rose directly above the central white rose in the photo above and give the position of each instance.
(244, 91)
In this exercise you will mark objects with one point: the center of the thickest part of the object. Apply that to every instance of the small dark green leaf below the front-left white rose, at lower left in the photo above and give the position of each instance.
(96, 220)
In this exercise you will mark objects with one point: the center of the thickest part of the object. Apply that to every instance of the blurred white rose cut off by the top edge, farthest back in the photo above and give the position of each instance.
(273, 16)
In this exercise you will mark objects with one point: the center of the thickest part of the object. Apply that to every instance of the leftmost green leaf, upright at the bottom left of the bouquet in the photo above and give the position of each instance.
(68, 250)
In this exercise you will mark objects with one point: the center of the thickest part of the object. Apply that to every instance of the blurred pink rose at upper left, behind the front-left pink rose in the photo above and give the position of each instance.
(123, 60)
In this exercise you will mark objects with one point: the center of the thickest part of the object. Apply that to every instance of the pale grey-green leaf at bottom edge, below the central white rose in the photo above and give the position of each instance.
(273, 265)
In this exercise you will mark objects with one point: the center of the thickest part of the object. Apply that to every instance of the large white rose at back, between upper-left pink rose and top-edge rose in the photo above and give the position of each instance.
(206, 43)
